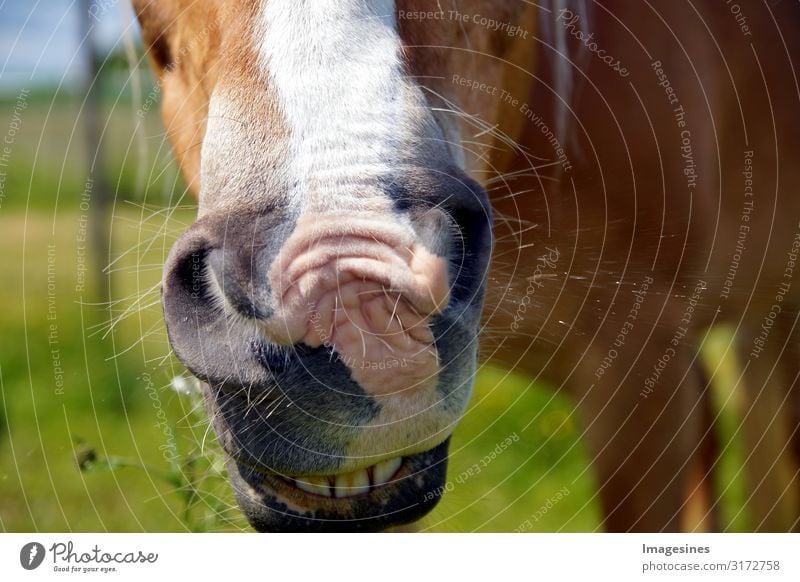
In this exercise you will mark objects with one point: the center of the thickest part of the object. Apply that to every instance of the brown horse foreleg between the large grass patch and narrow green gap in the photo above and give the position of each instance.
(642, 439)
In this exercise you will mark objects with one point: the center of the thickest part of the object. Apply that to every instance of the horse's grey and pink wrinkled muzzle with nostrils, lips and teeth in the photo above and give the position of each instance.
(337, 353)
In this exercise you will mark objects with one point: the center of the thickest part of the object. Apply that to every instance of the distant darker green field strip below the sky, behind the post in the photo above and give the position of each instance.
(48, 161)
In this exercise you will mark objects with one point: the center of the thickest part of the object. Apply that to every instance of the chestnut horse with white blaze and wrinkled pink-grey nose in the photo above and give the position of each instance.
(582, 188)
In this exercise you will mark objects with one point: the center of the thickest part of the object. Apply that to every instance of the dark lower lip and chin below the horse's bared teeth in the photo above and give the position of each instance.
(273, 502)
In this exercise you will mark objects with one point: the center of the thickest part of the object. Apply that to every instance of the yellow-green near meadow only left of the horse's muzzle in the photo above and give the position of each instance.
(116, 393)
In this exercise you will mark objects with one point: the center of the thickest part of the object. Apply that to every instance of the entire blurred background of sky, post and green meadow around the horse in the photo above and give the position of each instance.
(101, 429)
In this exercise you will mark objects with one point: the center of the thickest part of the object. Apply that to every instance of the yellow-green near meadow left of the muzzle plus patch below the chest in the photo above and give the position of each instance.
(117, 383)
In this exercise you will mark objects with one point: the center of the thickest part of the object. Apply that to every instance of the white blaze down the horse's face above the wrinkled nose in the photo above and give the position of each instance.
(336, 67)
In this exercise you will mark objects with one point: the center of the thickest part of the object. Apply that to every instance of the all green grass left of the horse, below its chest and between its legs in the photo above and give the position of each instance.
(116, 448)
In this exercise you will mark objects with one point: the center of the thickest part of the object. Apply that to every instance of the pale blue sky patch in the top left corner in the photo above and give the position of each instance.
(39, 39)
